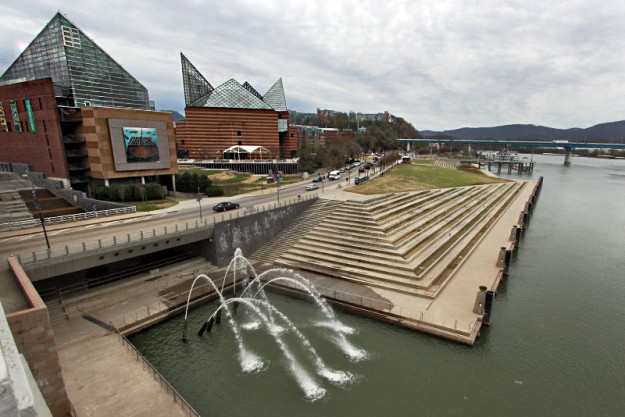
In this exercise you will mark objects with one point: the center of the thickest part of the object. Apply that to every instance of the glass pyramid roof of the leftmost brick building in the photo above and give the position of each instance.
(80, 68)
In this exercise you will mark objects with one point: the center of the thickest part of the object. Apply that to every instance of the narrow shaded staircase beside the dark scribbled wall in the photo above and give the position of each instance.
(283, 241)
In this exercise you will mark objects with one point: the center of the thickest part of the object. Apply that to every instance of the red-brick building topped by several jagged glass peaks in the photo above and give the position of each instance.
(232, 114)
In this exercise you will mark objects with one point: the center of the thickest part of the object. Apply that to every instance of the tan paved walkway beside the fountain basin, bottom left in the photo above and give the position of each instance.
(105, 378)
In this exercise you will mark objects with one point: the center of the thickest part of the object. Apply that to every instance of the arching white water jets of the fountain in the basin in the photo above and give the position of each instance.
(259, 313)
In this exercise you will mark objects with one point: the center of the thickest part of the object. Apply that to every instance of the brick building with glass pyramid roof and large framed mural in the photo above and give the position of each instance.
(71, 111)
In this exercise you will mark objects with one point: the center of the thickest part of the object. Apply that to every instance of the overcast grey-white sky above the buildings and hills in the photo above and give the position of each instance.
(440, 64)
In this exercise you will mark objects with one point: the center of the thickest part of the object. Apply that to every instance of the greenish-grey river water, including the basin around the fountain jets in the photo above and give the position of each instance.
(556, 346)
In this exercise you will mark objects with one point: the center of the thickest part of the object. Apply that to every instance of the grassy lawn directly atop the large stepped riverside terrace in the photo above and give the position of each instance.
(423, 176)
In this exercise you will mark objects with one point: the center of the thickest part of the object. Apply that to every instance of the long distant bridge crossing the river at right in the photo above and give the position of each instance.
(569, 146)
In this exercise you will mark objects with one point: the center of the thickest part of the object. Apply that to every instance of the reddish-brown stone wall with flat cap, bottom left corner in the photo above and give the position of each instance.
(34, 338)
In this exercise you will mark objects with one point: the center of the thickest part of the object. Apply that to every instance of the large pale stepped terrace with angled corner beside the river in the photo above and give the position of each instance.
(409, 242)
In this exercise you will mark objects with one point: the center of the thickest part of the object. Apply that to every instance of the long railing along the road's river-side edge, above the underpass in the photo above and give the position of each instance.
(67, 250)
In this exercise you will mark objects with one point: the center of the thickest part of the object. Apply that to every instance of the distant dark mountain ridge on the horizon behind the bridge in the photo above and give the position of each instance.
(604, 132)
